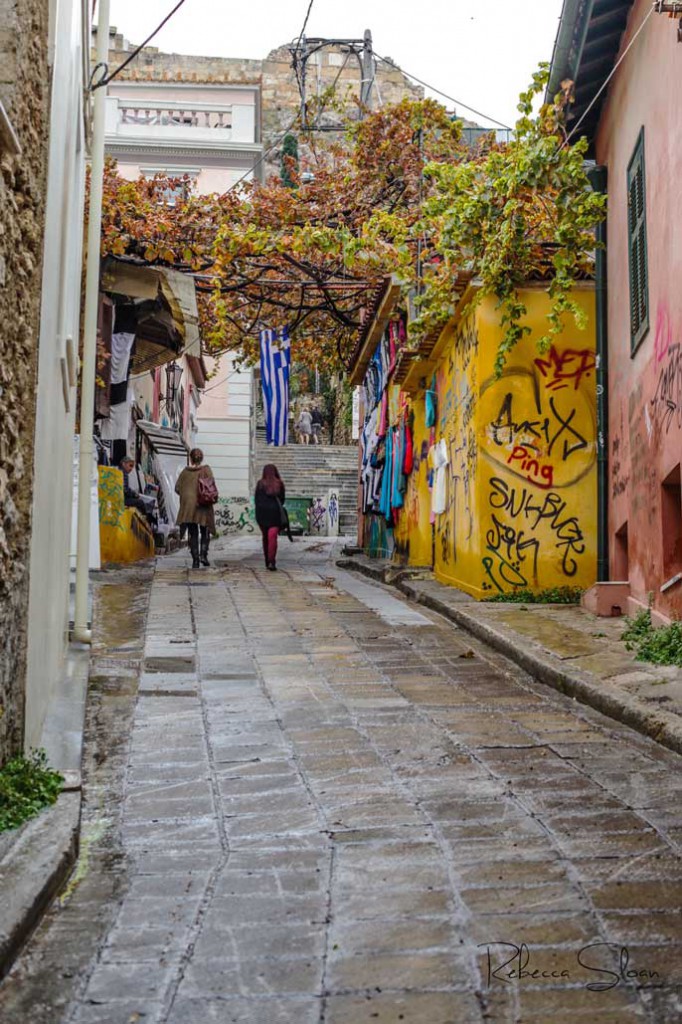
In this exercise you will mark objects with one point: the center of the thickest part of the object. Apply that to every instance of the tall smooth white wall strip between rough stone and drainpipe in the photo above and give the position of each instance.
(49, 601)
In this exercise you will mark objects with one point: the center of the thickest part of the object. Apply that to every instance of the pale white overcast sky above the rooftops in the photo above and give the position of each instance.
(482, 53)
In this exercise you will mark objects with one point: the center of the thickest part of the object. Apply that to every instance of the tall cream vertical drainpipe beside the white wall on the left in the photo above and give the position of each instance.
(82, 633)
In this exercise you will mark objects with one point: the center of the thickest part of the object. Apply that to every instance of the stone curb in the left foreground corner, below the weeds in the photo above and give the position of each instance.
(32, 872)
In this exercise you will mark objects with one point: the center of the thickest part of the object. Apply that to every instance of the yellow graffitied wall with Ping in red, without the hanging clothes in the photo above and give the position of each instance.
(522, 482)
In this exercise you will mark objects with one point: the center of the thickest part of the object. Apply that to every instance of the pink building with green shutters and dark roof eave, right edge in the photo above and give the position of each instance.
(634, 134)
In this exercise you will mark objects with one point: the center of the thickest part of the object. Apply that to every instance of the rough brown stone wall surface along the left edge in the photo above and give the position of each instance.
(24, 92)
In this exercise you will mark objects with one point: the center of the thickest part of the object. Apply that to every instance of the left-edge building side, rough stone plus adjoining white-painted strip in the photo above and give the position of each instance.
(44, 53)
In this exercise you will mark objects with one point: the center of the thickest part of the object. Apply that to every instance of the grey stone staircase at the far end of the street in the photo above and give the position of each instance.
(310, 471)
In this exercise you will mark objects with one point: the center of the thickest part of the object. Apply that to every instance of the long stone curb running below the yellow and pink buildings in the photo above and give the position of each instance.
(661, 727)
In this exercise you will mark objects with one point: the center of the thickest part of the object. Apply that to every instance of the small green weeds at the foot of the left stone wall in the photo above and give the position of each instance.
(27, 786)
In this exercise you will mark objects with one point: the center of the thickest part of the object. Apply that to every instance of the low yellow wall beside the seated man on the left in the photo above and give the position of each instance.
(124, 534)
